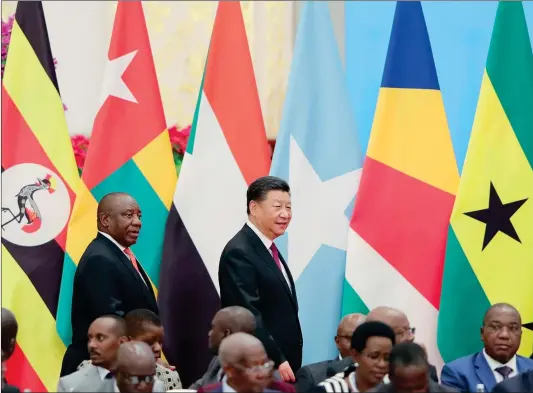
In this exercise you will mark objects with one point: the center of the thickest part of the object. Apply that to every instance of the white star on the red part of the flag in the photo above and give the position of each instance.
(114, 85)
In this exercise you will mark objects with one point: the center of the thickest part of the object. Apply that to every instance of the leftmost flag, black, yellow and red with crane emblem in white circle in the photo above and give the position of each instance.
(38, 175)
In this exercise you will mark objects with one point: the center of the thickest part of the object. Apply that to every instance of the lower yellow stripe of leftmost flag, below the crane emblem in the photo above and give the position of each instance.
(37, 336)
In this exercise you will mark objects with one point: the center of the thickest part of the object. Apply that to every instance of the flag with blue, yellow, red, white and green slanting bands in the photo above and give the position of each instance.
(397, 241)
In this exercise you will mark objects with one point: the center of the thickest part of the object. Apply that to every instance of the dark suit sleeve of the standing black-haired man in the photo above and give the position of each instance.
(238, 281)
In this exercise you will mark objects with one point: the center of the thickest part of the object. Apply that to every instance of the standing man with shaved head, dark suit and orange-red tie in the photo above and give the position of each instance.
(108, 279)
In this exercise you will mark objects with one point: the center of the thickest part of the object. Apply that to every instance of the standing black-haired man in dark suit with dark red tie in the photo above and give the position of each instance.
(253, 274)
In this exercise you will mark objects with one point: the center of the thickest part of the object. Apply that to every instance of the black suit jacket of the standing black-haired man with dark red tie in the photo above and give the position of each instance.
(250, 278)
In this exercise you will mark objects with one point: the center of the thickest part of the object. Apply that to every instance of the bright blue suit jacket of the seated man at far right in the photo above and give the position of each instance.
(465, 373)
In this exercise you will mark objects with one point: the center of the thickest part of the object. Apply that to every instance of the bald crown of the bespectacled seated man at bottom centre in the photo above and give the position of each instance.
(238, 347)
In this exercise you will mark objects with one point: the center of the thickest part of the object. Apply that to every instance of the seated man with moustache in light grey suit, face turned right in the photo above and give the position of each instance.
(104, 338)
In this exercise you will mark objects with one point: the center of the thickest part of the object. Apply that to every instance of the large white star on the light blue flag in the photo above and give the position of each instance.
(318, 209)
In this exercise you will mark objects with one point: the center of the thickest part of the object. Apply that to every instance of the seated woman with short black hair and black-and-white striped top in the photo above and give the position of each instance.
(371, 346)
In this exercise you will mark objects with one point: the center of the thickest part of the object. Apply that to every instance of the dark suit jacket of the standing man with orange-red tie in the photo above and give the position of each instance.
(105, 282)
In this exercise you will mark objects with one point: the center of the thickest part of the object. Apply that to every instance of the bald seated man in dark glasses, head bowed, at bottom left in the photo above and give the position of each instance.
(135, 371)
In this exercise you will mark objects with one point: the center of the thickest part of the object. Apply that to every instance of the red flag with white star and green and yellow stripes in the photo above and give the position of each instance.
(130, 152)
